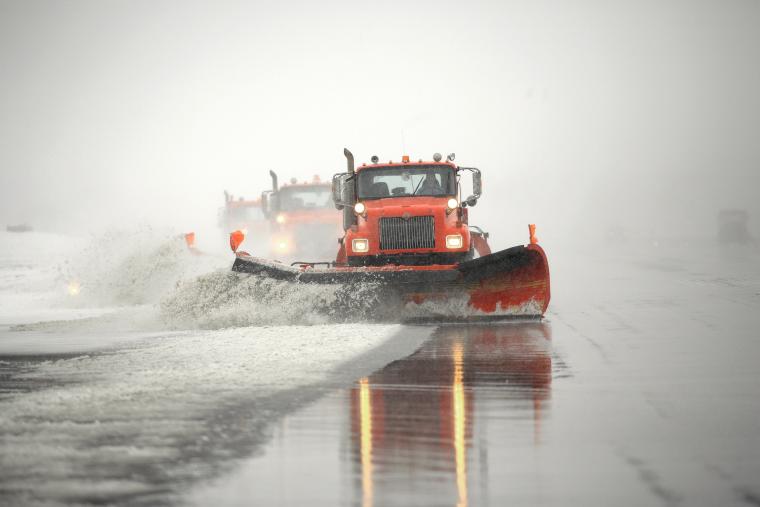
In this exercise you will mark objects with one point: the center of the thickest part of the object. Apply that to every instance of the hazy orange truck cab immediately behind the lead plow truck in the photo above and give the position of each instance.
(303, 222)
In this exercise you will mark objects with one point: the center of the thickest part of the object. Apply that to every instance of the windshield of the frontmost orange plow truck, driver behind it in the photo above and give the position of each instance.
(402, 181)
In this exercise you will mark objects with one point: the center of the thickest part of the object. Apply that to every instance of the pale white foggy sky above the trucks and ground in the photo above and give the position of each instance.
(582, 115)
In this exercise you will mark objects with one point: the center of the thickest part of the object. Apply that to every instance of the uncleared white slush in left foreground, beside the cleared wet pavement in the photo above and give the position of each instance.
(151, 414)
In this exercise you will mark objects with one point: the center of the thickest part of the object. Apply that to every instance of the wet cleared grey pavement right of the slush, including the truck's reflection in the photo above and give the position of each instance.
(645, 391)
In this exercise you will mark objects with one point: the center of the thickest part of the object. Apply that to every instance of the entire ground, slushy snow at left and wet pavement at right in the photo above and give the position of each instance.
(641, 387)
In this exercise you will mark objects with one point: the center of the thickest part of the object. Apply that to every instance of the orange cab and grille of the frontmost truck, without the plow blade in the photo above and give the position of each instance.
(405, 213)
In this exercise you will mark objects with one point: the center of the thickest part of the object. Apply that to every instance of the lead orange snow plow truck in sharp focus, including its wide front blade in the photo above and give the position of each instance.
(407, 237)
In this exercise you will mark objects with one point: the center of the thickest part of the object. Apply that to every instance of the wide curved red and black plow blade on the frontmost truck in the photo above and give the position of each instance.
(509, 283)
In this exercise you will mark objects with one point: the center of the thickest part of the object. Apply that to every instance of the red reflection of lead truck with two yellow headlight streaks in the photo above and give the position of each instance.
(416, 424)
